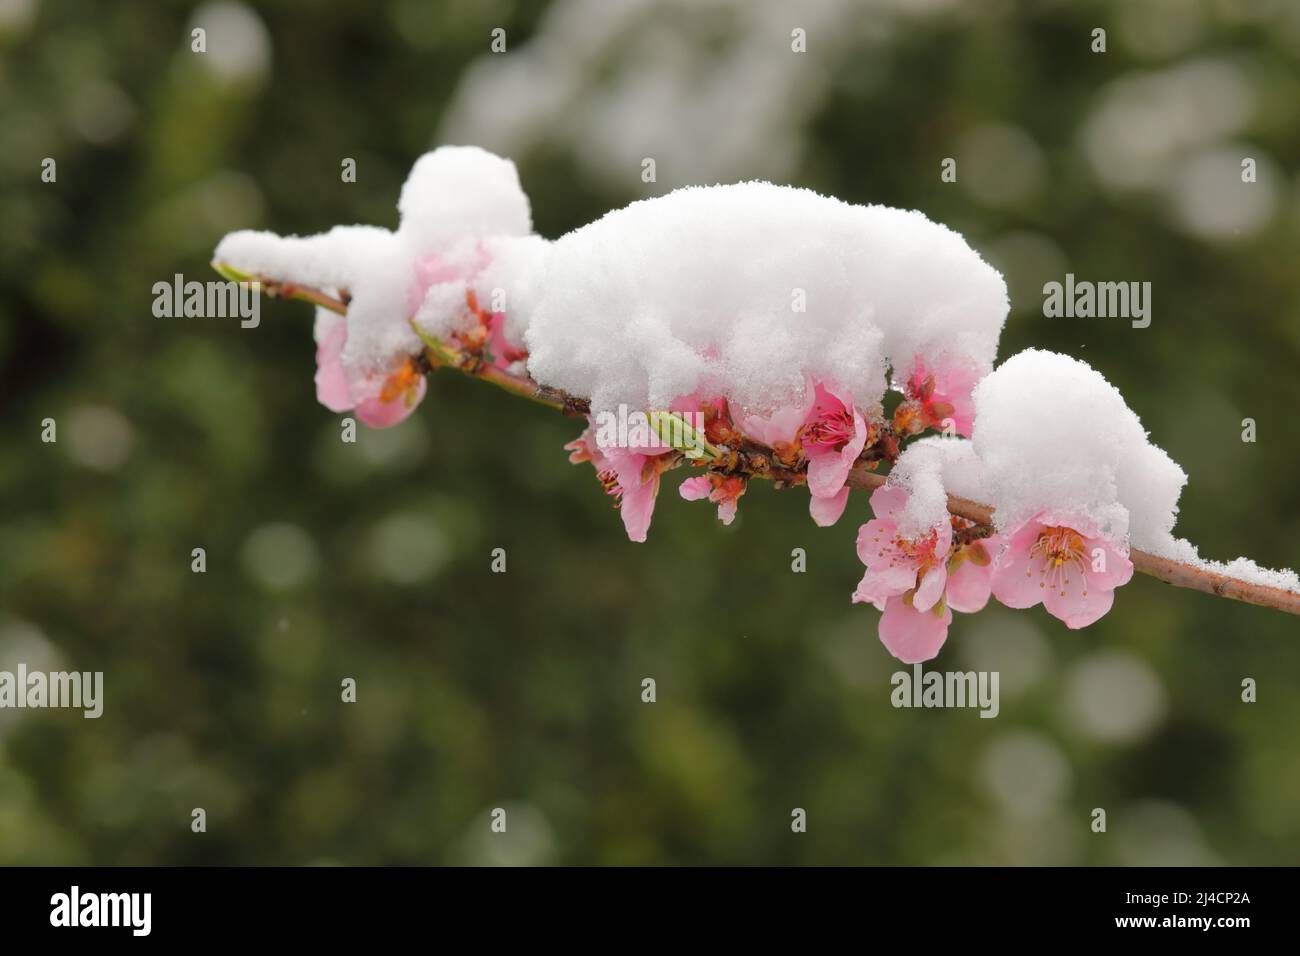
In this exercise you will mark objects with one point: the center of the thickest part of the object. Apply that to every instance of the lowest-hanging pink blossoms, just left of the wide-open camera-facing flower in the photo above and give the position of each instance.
(920, 582)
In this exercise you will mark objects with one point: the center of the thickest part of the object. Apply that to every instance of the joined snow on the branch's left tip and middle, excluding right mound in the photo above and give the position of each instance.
(748, 291)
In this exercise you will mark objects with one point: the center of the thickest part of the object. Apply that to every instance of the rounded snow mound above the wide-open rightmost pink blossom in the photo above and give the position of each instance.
(1054, 435)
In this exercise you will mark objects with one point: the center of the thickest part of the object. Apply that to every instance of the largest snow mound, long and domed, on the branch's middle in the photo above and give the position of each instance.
(751, 291)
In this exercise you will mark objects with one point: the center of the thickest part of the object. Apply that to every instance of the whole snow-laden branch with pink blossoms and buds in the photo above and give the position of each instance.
(755, 332)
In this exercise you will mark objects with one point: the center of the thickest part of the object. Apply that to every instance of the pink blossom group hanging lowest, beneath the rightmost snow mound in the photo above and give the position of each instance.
(918, 582)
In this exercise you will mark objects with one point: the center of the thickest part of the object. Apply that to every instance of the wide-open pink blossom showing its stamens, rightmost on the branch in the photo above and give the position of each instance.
(1067, 565)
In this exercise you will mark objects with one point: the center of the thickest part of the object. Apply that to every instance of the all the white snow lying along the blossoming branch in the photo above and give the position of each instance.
(752, 292)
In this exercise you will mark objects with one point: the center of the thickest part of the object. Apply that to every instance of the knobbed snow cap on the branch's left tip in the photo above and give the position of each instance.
(460, 204)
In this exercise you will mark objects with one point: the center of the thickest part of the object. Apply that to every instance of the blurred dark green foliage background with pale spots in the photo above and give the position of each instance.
(523, 691)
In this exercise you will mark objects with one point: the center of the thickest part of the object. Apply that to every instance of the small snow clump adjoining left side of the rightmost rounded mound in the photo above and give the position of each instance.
(930, 470)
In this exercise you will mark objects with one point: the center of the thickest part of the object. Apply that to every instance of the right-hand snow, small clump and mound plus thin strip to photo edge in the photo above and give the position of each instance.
(1052, 435)
